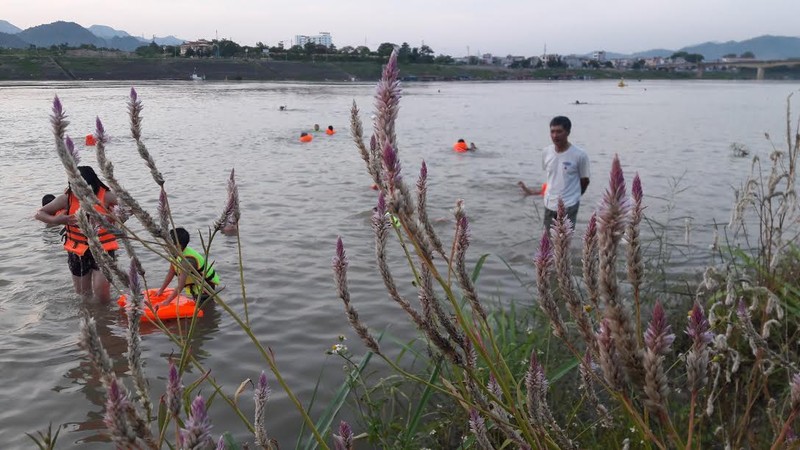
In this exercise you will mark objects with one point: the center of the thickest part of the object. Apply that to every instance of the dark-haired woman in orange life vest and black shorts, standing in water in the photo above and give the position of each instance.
(87, 277)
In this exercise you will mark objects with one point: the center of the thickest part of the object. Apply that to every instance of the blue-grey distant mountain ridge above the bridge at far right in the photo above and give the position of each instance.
(763, 47)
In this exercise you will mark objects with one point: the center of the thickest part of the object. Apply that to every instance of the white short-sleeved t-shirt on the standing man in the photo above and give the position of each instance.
(564, 172)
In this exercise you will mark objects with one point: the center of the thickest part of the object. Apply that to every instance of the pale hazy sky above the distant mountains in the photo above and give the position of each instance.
(452, 27)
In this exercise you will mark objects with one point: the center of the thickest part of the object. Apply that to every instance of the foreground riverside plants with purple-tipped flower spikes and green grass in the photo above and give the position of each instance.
(602, 365)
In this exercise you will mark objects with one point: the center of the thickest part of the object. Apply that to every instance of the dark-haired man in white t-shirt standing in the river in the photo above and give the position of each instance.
(566, 167)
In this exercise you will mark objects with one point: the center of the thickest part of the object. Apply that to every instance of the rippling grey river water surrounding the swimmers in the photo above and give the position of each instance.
(297, 198)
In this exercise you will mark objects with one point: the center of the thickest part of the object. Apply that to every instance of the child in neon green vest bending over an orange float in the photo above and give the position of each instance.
(191, 263)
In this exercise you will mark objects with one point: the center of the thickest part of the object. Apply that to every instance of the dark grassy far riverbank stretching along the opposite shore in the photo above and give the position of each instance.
(26, 67)
